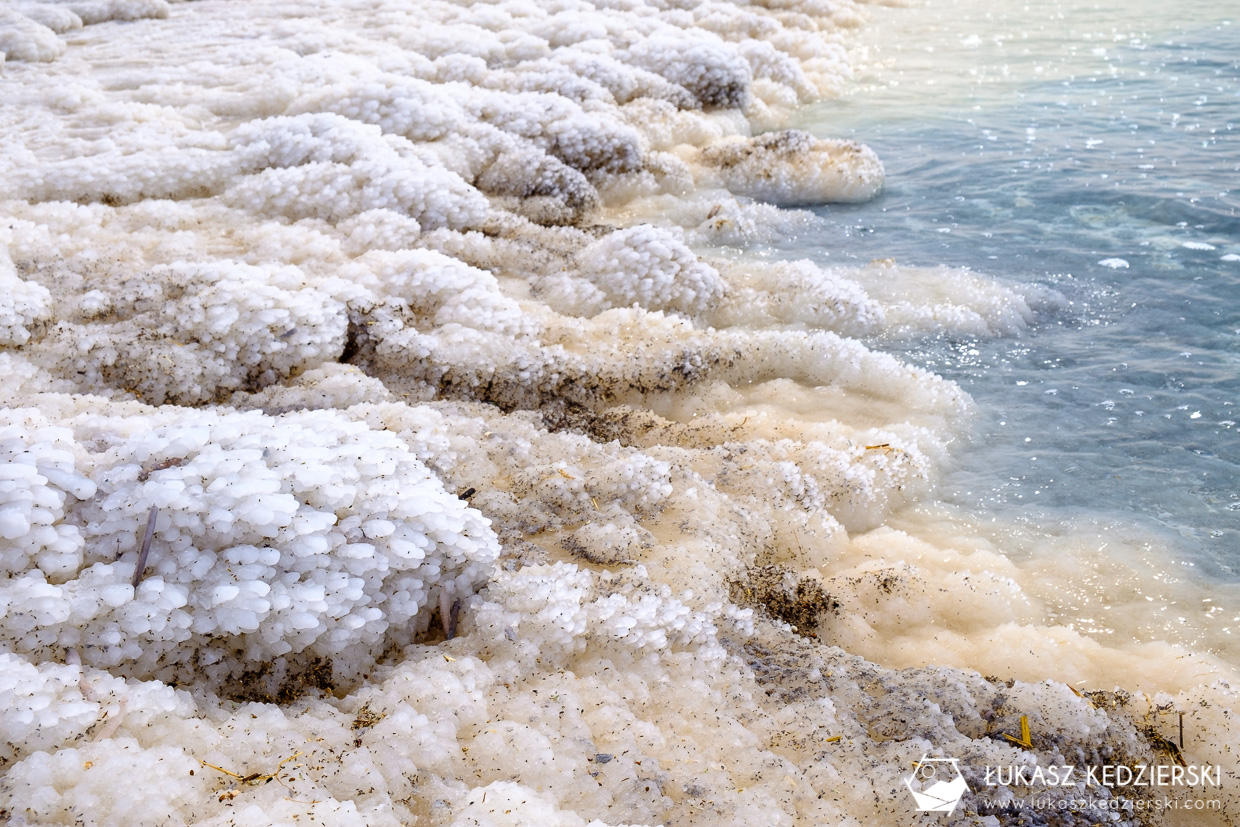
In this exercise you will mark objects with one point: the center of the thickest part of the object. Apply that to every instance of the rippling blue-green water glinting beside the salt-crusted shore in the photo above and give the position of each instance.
(1102, 162)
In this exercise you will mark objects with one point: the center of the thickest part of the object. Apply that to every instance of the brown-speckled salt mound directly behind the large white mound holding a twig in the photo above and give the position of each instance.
(189, 333)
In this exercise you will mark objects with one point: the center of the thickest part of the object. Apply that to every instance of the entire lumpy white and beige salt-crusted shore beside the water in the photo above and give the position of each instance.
(494, 484)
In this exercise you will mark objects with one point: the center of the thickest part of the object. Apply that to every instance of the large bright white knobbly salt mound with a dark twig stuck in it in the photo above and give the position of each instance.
(302, 535)
